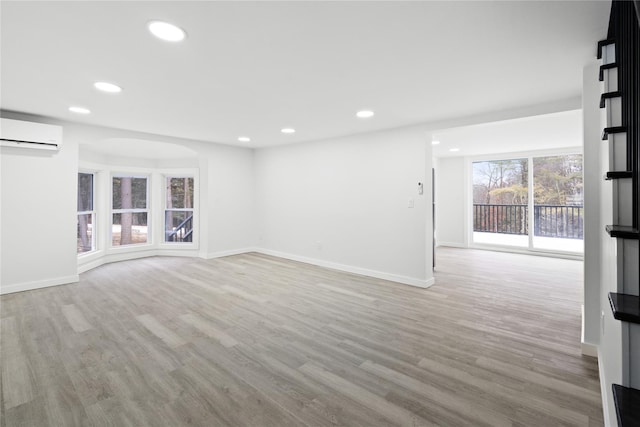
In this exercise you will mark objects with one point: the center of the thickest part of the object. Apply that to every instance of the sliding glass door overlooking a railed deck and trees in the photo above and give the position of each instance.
(529, 202)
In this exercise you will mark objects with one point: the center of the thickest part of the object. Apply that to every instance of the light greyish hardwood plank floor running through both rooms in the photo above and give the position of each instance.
(252, 340)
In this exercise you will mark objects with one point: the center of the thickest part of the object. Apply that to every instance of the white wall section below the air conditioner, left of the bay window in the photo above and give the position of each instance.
(38, 223)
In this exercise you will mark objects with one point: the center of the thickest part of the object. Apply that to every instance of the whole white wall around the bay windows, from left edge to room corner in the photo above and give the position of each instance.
(42, 189)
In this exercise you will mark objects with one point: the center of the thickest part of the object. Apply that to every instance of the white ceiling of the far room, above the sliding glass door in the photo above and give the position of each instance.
(543, 132)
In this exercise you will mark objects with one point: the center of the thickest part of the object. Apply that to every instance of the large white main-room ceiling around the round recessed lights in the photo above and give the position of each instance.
(252, 68)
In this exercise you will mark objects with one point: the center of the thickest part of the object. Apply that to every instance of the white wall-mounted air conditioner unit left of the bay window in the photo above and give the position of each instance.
(16, 133)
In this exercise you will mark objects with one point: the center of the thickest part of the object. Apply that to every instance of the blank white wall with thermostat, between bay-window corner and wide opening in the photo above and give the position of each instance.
(344, 203)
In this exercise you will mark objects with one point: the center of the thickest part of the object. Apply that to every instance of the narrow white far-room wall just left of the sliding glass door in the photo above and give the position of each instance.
(451, 202)
